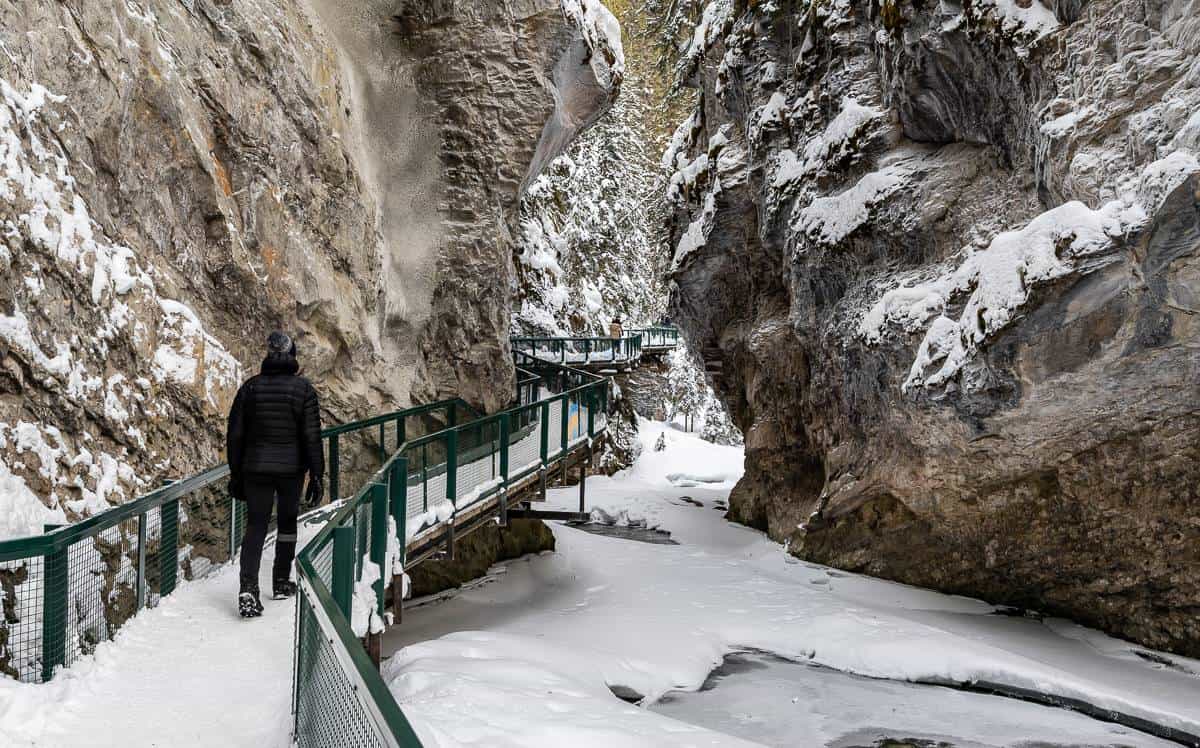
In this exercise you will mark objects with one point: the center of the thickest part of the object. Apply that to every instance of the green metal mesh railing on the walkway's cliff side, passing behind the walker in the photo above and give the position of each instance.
(73, 588)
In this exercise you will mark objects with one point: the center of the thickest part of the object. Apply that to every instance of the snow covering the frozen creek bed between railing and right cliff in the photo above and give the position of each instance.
(529, 660)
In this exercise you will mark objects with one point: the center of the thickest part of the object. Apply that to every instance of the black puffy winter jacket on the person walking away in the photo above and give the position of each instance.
(275, 424)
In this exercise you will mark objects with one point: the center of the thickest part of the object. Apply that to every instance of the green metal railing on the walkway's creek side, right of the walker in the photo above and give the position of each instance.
(424, 486)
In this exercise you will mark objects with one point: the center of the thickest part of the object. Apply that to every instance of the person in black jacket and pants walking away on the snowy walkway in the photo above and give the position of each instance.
(274, 439)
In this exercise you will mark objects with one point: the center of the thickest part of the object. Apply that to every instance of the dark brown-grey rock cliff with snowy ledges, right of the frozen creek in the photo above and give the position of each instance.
(927, 397)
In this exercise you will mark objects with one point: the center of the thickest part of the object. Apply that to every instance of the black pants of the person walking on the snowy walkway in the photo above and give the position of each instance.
(262, 492)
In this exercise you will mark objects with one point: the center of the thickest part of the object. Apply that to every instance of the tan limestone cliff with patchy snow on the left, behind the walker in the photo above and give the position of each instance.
(177, 179)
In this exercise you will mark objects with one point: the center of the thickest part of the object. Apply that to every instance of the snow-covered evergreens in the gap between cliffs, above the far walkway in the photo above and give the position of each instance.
(592, 230)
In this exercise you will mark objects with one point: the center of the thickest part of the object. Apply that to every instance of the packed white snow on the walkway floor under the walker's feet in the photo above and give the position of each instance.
(188, 673)
